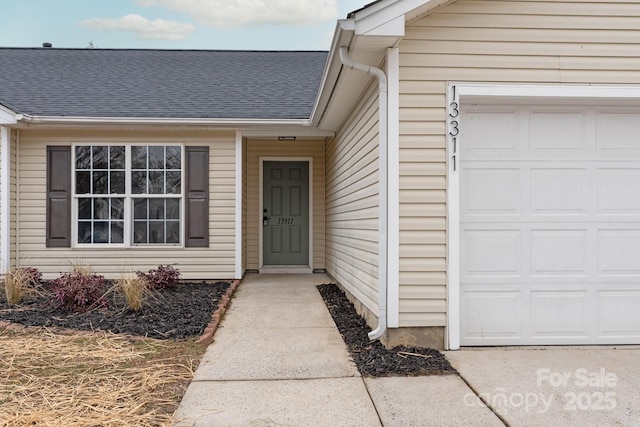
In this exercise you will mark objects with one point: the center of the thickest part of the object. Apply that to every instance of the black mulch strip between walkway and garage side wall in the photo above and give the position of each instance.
(371, 357)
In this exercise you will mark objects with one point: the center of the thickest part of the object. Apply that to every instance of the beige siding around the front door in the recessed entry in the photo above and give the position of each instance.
(282, 150)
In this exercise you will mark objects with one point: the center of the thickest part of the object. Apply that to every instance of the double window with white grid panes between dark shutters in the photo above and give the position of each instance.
(128, 195)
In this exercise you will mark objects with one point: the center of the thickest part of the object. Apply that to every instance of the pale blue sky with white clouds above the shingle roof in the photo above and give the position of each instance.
(174, 24)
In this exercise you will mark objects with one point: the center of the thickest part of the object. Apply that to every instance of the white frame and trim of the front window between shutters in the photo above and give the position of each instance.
(128, 202)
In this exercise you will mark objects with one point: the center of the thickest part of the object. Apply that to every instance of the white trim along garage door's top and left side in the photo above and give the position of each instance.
(498, 94)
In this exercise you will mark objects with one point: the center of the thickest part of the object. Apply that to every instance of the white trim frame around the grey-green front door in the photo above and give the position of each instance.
(283, 269)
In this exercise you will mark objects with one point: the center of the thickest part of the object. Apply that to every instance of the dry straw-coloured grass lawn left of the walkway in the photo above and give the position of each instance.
(104, 380)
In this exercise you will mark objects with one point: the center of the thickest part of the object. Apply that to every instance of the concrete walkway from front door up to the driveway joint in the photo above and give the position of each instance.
(278, 360)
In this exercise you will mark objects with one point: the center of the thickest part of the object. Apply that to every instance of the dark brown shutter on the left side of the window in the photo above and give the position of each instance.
(58, 196)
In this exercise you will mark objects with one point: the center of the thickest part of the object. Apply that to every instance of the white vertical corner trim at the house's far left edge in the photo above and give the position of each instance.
(5, 199)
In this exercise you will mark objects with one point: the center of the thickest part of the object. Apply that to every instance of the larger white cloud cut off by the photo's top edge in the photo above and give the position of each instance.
(230, 13)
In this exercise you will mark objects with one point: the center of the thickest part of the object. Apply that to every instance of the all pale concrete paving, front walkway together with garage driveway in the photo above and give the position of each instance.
(278, 360)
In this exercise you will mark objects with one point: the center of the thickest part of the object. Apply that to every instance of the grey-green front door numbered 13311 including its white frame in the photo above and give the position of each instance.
(285, 217)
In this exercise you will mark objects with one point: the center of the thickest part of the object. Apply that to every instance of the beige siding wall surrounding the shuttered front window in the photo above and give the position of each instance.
(214, 262)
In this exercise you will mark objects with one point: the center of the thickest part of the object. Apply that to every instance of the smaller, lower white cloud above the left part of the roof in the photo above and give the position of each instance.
(158, 29)
